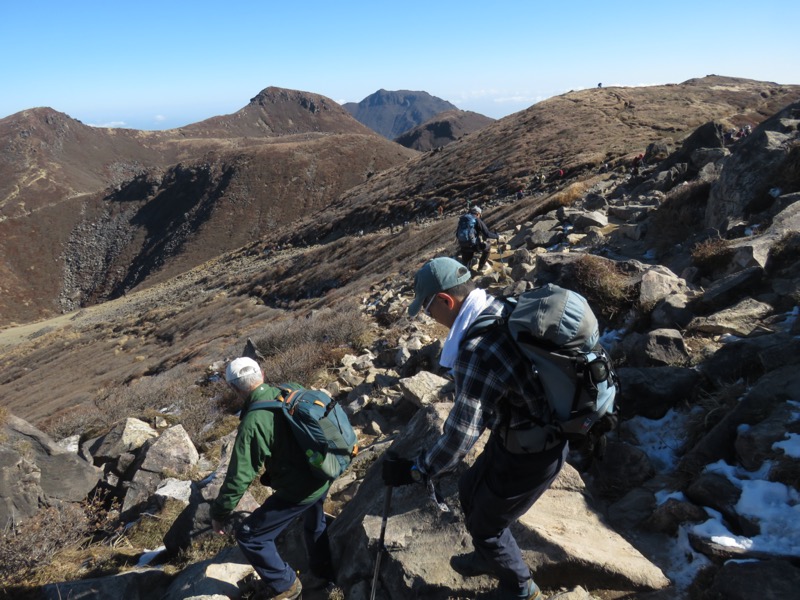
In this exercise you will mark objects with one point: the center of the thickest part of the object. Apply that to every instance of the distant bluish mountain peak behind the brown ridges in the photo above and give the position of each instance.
(392, 113)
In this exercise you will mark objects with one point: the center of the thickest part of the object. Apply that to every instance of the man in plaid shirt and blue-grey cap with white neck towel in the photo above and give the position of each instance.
(496, 390)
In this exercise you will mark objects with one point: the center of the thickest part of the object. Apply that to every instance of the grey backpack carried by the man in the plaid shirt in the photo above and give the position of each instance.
(556, 331)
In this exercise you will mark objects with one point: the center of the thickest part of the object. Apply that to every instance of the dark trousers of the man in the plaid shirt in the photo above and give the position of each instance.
(497, 490)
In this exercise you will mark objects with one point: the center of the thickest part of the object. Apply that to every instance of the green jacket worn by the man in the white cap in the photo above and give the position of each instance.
(265, 439)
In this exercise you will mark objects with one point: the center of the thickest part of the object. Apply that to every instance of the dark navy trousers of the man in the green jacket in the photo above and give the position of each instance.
(258, 532)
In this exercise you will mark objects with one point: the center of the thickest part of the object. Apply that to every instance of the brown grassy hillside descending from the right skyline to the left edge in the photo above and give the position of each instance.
(204, 315)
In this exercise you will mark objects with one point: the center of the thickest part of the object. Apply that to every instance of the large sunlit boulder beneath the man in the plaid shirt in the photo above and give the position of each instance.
(562, 537)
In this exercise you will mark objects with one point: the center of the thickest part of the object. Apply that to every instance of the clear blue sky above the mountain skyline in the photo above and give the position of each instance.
(151, 64)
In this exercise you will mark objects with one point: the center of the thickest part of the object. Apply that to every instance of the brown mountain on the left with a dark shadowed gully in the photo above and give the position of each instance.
(88, 213)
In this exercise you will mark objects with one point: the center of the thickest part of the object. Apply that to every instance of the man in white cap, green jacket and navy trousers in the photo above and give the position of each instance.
(265, 439)
